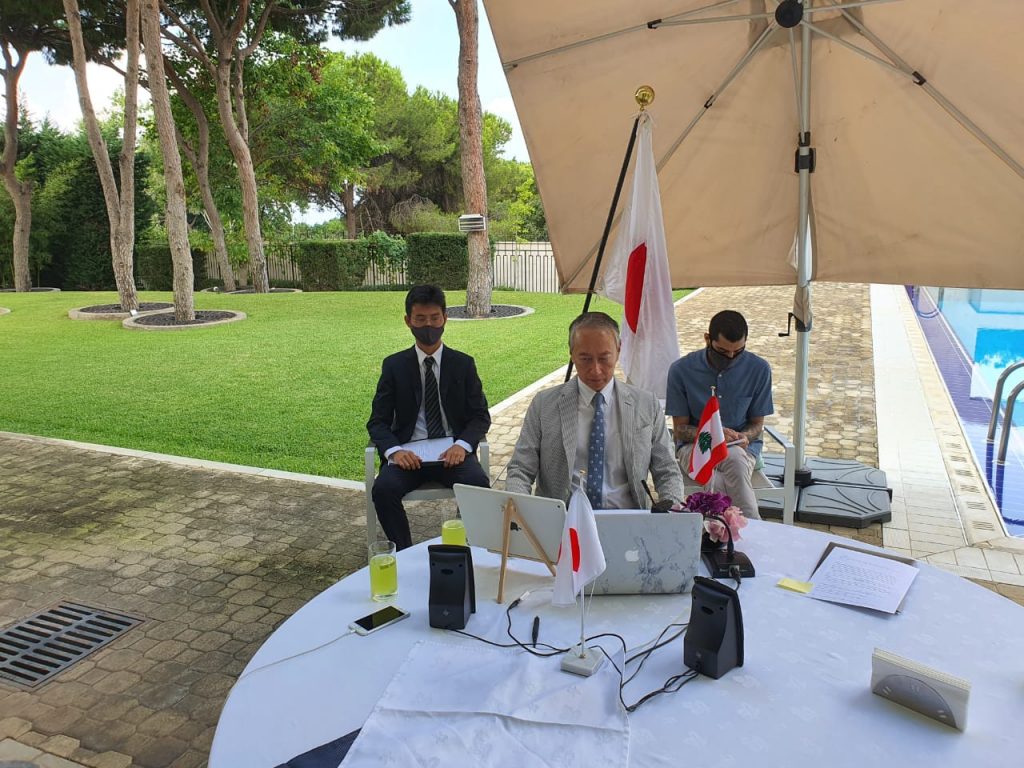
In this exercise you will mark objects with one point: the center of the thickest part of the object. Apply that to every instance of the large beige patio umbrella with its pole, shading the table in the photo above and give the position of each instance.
(882, 141)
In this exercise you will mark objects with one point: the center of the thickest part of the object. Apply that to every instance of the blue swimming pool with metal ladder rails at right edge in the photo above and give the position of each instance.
(975, 335)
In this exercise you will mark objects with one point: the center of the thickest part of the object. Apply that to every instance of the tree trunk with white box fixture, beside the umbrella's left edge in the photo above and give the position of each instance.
(475, 186)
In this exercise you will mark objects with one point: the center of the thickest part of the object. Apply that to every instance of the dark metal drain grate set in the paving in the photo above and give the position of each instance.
(37, 649)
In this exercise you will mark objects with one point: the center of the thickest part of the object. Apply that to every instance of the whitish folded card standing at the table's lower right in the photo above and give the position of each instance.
(921, 689)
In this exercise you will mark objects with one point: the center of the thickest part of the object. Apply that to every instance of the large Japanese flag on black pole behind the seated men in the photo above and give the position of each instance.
(637, 277)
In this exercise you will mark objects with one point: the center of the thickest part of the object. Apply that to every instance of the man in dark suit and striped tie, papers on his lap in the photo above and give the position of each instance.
(425, 393)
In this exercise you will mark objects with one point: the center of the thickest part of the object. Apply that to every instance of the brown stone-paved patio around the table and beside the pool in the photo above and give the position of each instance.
(216, 561)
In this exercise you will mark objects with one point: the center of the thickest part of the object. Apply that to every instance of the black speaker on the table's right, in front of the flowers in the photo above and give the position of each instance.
(714, 643)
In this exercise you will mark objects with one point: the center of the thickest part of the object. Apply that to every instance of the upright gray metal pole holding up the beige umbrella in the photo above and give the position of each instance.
(805, 164)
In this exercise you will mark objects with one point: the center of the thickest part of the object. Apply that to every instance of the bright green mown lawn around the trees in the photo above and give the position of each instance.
(288, 389)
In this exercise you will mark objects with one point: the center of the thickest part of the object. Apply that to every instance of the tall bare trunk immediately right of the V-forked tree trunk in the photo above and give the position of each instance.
(177, 222)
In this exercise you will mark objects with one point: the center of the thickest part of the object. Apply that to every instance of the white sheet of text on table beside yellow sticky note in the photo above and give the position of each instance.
(862, 579)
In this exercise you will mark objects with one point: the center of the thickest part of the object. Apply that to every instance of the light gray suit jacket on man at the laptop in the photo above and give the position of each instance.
(545, 452)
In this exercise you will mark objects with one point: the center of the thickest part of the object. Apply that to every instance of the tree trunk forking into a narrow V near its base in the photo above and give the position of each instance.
(120, 205)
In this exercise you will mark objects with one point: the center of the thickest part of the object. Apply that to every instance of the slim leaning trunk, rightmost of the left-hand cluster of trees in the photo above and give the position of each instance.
(247, 175)
